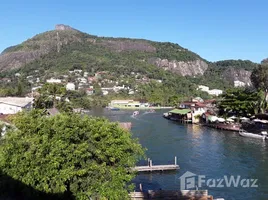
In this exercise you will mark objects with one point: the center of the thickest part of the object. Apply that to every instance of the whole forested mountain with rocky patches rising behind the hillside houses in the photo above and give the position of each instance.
(54, 53)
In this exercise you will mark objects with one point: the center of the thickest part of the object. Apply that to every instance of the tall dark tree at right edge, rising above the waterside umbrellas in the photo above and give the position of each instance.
(259, 79)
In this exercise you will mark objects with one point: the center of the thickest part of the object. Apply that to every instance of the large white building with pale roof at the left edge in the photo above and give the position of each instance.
(12, 105)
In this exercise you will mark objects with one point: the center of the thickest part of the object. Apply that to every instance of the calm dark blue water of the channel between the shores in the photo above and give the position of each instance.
(200, 150)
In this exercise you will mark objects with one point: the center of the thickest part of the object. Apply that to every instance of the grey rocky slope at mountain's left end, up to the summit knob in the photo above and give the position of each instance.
(17, 56)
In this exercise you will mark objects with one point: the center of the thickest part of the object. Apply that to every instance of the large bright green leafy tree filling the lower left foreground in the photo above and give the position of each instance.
(67, 153)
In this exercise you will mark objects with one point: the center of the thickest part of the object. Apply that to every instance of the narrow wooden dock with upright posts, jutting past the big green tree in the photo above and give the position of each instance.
(150, 167)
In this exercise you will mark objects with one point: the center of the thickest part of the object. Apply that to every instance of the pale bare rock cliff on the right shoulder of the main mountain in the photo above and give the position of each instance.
(189, 68)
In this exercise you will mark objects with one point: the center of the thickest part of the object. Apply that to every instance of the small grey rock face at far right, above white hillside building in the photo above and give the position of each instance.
(232, 74)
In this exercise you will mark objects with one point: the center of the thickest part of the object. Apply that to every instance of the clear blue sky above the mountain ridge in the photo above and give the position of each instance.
(214, 29)
